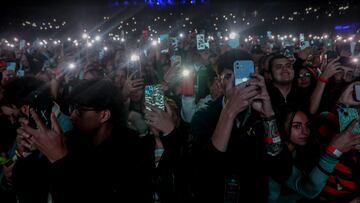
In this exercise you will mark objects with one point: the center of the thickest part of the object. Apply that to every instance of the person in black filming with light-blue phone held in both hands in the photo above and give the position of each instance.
(231, 158)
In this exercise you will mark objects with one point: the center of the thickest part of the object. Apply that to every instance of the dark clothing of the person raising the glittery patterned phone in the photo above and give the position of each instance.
(171, 175)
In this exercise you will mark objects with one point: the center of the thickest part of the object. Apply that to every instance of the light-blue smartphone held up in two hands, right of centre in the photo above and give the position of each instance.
(243, 69)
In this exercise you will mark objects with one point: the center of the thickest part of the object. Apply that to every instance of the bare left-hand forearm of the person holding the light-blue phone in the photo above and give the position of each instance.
(222, 133)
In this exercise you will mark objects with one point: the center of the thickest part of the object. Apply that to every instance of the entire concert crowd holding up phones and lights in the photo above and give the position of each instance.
(78, 122)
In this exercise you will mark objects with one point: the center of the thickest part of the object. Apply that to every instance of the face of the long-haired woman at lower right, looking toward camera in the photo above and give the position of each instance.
(300, 129)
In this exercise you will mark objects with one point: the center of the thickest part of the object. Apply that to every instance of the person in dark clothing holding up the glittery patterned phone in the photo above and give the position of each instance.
(167, 142)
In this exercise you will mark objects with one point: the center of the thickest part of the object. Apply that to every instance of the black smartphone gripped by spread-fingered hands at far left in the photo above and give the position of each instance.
(42, 105)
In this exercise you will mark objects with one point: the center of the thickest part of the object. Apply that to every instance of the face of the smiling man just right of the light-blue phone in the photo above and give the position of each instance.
(282, 71)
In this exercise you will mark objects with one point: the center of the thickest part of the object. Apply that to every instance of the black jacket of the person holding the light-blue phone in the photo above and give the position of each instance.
(246, 159)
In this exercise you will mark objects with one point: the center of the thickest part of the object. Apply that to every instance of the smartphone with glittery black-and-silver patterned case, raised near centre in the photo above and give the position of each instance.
(154, 96)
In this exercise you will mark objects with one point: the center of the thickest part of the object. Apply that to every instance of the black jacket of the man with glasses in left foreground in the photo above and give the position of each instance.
(114, 171)
